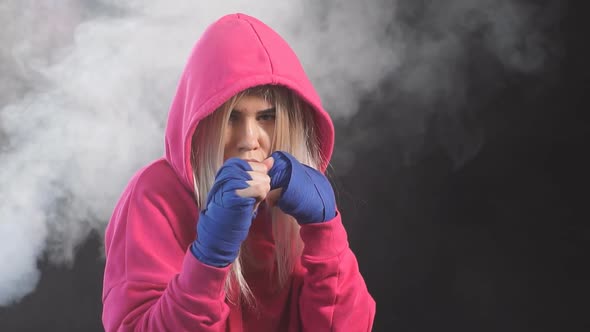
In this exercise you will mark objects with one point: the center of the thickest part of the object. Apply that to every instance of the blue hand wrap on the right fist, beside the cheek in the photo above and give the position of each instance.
(307, 194)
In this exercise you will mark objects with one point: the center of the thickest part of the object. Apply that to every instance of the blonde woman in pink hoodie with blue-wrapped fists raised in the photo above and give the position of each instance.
(235, 229)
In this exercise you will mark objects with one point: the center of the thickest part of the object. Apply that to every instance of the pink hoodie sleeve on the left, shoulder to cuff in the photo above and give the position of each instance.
(152, 282)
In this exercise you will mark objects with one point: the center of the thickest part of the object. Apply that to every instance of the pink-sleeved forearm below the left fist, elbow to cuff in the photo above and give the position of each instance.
(194, 299)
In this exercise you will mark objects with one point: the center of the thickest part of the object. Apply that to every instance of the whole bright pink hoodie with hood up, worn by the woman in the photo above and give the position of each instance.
(152, 282)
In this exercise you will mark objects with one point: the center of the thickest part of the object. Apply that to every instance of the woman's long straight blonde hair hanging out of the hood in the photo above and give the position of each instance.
(294, 133)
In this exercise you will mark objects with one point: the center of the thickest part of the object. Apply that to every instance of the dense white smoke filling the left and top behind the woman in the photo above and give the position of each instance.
(85, 88)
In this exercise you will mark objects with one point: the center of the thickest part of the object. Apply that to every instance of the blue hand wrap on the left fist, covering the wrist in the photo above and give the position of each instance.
(225, 222)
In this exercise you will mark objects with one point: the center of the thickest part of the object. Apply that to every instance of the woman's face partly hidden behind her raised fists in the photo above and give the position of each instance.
(250, 129)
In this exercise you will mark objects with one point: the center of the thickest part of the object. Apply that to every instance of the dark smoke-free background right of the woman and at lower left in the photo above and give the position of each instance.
(494, 243)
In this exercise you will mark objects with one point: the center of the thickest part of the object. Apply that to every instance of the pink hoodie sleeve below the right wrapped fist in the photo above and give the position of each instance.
(334, 296)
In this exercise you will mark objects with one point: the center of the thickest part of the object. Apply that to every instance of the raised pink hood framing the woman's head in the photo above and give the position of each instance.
(235, 53)
